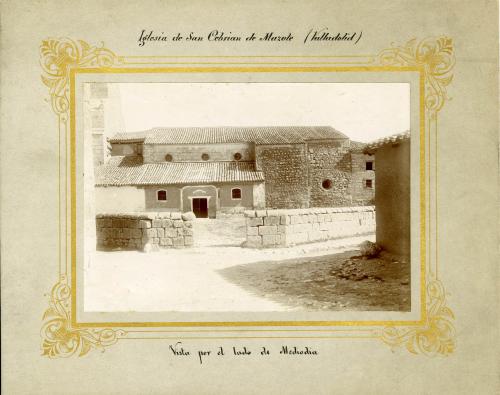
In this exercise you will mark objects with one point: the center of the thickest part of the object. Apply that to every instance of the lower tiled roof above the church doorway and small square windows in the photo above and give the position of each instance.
(126, 170)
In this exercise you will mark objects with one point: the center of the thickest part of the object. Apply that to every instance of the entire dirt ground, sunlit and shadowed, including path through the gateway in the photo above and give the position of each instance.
(217, 274)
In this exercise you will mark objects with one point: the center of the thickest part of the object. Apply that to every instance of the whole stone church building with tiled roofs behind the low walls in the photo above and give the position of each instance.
(215, 170)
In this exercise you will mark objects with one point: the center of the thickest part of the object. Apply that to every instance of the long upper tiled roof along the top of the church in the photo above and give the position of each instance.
(232, 134)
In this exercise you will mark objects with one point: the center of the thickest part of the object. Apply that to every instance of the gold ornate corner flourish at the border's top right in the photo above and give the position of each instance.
(436, 56)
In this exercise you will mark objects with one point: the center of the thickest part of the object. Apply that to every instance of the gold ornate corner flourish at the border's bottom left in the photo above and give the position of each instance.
(59, 339)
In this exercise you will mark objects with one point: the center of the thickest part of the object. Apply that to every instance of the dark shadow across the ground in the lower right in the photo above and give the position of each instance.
(344, 281)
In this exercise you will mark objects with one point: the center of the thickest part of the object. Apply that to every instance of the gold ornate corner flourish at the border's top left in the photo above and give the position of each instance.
(59, 56)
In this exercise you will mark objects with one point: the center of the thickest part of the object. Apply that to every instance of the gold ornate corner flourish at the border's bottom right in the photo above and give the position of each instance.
(436, 336)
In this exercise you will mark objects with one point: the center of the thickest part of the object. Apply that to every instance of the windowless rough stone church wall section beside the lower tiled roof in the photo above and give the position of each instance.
(285, 171)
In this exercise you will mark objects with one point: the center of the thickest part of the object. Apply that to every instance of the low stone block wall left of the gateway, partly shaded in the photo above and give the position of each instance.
(144, 232)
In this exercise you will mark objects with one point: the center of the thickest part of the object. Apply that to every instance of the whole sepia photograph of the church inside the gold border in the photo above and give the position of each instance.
(247, 197)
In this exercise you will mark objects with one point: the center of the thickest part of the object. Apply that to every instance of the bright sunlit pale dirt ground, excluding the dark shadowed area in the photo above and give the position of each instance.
(192, 279)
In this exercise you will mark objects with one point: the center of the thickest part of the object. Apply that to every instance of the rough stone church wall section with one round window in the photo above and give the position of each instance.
(330, 161)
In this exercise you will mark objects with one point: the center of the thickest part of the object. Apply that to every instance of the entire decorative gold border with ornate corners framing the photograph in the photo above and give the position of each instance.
(62, 58)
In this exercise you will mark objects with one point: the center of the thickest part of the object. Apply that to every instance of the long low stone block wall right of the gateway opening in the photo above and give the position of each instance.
(282, 228)
